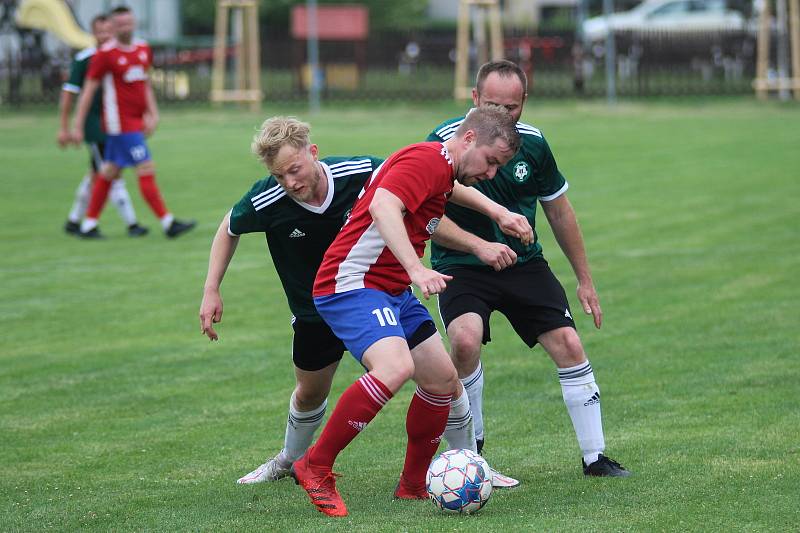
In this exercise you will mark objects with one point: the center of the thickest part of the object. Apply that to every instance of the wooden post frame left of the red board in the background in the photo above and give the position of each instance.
(247, 77)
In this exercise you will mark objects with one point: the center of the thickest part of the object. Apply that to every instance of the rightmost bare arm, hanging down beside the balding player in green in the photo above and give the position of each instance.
(561, 217)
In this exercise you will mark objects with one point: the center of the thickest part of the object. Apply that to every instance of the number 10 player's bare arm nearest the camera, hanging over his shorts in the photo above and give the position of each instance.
(387, 212)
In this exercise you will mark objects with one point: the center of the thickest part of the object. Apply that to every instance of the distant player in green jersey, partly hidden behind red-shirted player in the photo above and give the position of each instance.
(94, 138)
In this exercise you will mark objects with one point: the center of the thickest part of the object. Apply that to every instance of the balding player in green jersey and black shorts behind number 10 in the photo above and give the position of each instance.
(524, 289)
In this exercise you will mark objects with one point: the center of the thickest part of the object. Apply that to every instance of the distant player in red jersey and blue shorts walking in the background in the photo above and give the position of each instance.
(129, 114)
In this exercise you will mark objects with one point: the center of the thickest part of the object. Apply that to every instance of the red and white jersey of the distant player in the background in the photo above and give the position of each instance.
(122, 71)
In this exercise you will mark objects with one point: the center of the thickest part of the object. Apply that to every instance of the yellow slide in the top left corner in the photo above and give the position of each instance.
(53, 16)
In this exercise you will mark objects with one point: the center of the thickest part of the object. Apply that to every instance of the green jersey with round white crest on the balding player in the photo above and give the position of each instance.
(530, 176)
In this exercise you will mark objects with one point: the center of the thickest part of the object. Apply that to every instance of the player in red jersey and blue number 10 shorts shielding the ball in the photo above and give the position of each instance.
(362, 292)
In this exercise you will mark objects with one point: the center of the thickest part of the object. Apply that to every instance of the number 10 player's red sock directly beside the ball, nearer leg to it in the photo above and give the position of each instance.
(425, 423)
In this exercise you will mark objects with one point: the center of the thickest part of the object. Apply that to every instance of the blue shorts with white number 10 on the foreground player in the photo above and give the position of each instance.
(362, 317)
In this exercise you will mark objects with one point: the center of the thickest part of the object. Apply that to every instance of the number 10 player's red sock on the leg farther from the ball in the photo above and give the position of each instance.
(357, 406)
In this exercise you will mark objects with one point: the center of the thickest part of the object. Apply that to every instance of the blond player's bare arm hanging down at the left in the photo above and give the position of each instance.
(222, 250)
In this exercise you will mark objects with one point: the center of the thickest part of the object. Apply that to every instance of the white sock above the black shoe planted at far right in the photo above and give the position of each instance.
(582, 398)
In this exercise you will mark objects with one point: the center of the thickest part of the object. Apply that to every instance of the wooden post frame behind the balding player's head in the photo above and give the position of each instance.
(462, 89)
